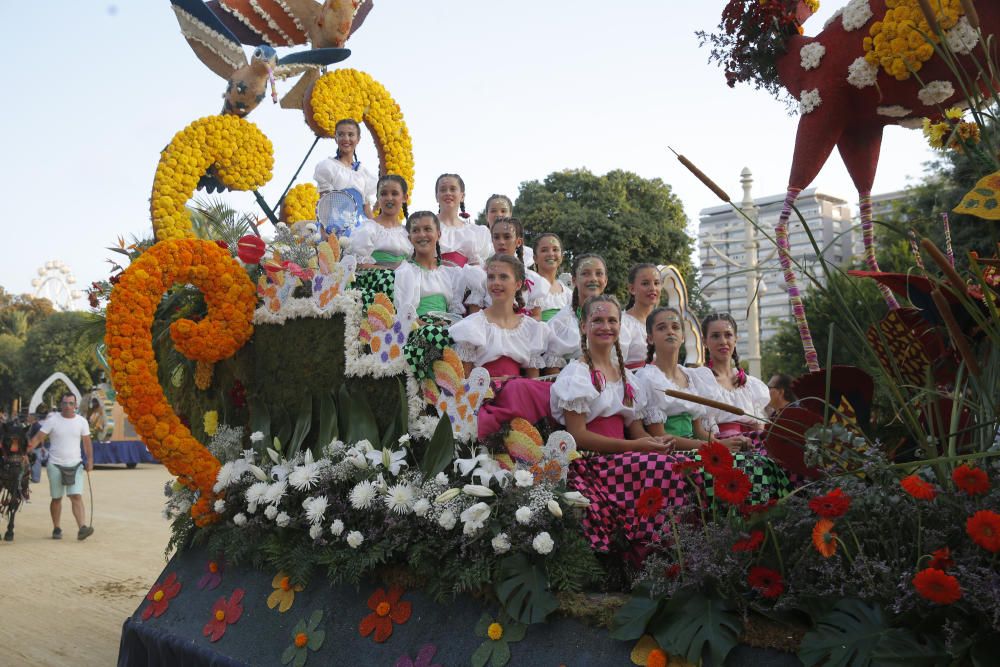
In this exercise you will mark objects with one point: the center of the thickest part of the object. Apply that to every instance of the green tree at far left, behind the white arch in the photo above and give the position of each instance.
(57, 344)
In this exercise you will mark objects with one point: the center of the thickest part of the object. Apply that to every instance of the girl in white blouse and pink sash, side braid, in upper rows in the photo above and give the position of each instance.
(462, 241)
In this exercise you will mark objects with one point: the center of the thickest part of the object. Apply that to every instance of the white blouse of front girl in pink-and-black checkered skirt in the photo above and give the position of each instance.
(574, 391)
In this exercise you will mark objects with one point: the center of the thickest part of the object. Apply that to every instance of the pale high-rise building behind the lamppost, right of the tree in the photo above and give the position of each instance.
(722, 254)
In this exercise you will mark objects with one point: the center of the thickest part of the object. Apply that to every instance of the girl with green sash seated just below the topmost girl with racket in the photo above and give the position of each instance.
(382, 244)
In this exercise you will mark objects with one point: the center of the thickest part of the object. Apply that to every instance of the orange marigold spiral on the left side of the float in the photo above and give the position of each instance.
(230, 297)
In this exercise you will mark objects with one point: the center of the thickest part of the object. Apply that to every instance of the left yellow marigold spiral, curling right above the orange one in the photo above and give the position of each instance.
(233, 149)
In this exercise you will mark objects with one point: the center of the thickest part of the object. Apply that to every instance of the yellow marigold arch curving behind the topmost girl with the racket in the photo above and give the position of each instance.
(349, 93)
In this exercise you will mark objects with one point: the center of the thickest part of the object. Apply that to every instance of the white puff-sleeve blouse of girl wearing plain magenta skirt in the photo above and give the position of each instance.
(478, 341)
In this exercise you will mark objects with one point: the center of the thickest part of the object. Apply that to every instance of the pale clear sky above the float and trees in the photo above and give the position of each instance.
(500, 92)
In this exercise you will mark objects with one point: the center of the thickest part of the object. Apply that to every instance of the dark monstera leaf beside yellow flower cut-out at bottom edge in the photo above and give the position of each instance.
(693, 624)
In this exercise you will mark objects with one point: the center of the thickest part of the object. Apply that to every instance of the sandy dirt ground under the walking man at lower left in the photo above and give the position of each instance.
(63, 603)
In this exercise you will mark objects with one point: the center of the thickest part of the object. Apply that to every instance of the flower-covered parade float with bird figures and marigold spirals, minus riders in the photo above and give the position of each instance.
(332, 503)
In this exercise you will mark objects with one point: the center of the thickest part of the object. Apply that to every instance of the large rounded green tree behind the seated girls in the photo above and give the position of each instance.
(624, 218)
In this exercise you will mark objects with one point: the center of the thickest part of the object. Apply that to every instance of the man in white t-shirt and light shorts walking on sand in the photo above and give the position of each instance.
(66, 430)
